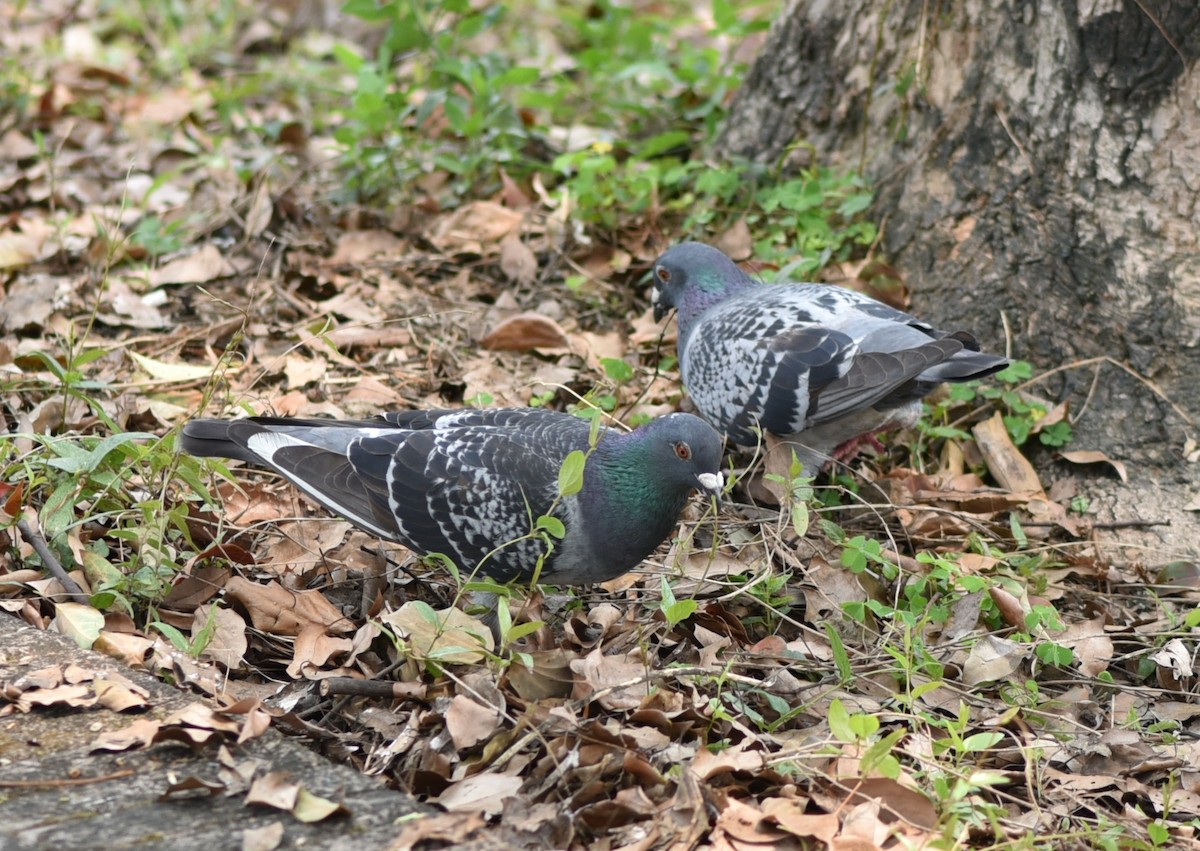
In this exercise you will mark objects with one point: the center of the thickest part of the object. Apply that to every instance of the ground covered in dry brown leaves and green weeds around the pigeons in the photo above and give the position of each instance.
(289, 209)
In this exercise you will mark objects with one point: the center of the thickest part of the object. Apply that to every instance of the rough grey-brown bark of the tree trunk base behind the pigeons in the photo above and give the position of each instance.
(1041, 175)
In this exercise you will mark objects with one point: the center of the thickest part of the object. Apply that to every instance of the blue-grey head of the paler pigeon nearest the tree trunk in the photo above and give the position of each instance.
(692, 277)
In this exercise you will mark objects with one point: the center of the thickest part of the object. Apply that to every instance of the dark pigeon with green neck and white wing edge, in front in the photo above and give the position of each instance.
(471, 484)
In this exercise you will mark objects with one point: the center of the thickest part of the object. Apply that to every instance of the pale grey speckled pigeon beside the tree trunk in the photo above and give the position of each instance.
(818, 364)
